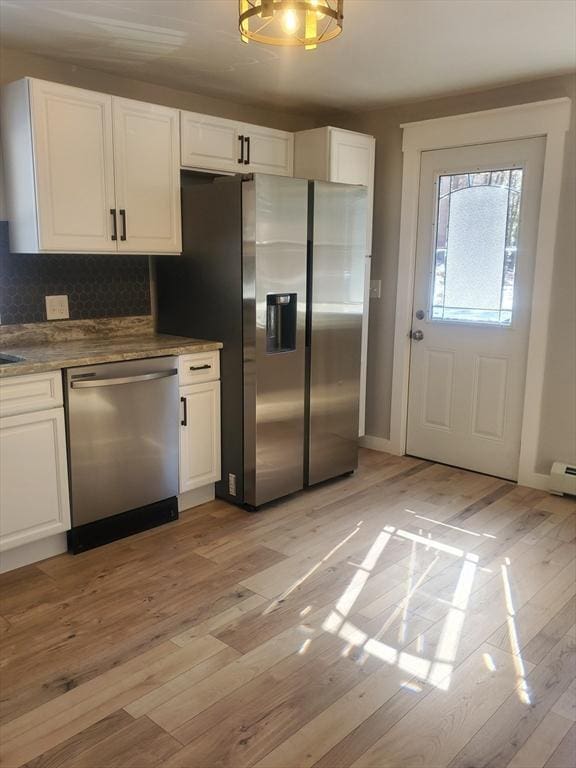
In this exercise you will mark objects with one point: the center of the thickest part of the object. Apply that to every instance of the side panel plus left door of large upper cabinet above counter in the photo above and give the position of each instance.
(58, 158)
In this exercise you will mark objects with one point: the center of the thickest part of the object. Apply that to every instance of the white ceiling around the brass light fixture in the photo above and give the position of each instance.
(391, 50)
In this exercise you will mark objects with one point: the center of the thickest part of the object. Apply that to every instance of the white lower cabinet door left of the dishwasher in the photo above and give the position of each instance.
(34, 499)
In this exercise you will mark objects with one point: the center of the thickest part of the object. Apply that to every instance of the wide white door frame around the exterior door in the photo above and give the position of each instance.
(543, 118)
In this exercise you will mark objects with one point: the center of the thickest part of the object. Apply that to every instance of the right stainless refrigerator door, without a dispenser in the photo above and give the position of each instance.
(336, 295)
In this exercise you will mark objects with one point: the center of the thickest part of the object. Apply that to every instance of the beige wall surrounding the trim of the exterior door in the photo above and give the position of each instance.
(558, 429)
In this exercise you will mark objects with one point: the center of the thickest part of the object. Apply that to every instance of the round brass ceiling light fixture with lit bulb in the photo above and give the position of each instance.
(304, 23)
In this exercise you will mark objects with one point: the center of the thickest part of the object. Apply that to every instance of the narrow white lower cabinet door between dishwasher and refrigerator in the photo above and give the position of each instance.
(200, 435)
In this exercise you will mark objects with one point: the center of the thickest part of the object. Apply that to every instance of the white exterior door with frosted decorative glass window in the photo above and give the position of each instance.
(477, 229)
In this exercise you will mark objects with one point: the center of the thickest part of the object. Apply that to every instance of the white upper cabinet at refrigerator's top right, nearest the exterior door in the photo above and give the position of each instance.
(333, 154)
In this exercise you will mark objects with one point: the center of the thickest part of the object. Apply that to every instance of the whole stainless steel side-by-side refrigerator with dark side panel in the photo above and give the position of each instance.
(274, 268)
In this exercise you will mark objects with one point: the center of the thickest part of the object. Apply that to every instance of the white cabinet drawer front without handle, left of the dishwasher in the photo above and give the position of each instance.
(35, 392)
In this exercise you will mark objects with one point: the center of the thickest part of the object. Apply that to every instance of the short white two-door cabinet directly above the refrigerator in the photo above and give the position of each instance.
(217, 144)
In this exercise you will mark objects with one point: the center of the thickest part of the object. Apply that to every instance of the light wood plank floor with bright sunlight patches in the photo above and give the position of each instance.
(410, 615)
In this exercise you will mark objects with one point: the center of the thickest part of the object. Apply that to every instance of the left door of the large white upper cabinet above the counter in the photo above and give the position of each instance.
(73, 163)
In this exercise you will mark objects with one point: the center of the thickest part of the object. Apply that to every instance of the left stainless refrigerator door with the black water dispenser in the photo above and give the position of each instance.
(274, 317)
